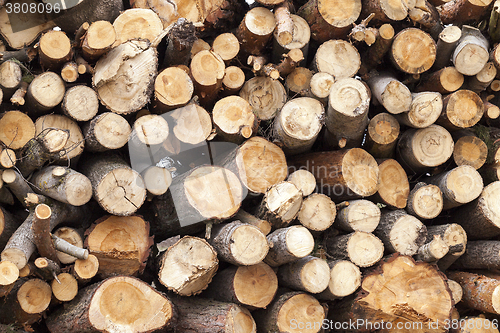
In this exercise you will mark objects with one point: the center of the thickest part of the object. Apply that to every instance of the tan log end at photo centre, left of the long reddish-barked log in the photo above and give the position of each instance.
(258, 163)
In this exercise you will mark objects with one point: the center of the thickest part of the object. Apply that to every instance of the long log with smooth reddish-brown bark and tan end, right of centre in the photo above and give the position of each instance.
(350, 173)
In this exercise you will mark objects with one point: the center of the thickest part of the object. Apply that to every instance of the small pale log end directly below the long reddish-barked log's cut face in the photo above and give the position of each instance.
(359, 215)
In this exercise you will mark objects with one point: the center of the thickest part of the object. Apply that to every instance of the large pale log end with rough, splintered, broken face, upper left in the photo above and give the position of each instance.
(133, 61)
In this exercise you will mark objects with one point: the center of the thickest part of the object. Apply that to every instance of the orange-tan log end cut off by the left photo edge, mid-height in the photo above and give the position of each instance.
(16, 129)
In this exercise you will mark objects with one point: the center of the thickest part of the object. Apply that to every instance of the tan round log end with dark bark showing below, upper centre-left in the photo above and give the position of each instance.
(207, 70)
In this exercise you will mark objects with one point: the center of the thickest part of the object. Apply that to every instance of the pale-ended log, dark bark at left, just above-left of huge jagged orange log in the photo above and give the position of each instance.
(362, 248)
